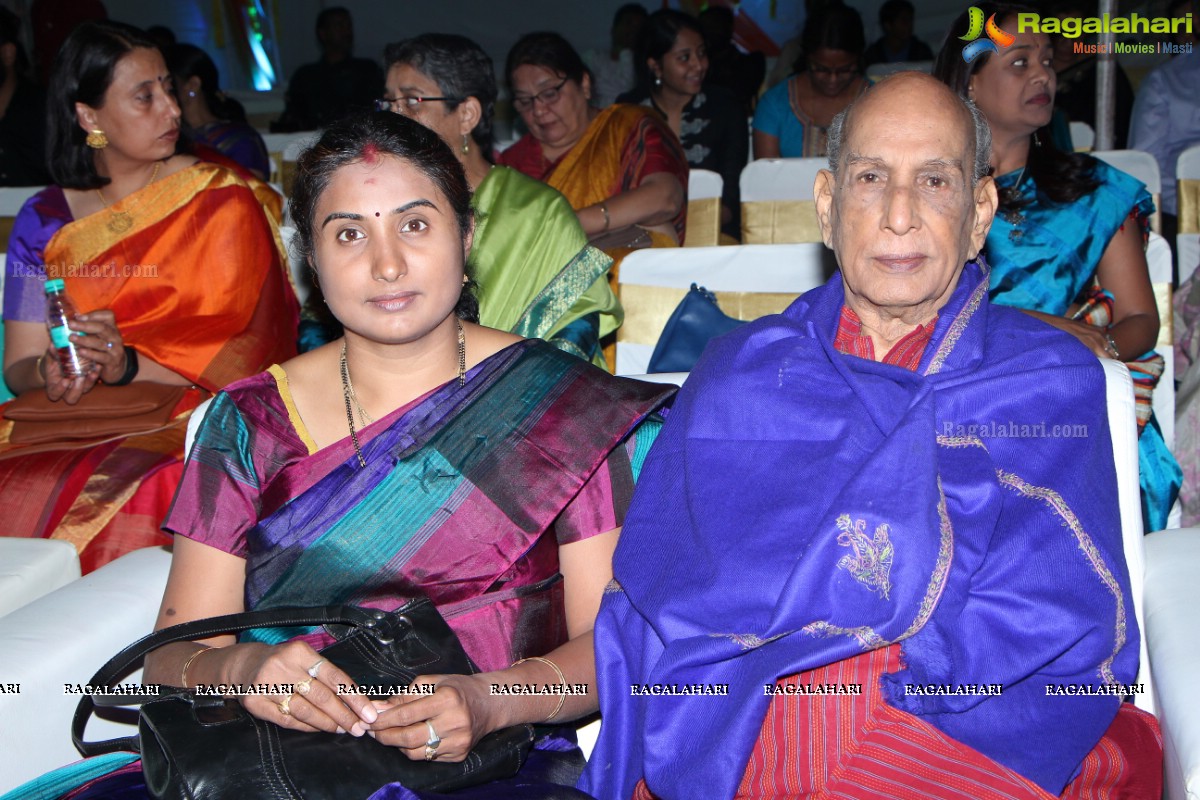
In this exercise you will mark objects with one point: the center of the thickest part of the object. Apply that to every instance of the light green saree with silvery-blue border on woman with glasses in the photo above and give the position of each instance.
(537, 275)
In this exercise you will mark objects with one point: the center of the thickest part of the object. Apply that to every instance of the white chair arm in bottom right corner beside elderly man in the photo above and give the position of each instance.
(1172, 597)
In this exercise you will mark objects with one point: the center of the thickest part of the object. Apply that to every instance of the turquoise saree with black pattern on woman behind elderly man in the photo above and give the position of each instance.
(1045, 258)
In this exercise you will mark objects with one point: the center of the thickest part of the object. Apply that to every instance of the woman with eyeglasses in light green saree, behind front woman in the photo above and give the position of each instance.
(537, 275)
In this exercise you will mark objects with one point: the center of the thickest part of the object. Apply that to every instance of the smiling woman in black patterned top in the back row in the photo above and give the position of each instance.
(673, 67)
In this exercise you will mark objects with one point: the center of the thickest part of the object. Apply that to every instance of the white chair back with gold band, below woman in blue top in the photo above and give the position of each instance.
(777, 201)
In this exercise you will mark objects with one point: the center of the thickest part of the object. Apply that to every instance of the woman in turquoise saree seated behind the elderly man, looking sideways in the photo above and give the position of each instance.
(1069, 243)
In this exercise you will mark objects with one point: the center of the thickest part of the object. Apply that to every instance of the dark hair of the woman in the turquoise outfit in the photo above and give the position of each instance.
(1060, 177)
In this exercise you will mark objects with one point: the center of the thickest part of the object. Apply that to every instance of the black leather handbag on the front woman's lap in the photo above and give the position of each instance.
(209, 748)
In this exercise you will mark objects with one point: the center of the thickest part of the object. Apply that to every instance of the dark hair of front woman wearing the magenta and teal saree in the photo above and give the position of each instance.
(368, 136)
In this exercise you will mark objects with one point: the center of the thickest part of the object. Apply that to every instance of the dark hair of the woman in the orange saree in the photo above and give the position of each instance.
(82, 74)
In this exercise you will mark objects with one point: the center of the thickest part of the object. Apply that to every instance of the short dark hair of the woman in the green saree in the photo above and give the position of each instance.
(460, 68)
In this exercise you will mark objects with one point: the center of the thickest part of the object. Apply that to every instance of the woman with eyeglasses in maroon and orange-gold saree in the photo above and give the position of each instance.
(622, 170)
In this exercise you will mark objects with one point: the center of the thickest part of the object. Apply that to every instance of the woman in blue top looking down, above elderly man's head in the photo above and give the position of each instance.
(793, 119)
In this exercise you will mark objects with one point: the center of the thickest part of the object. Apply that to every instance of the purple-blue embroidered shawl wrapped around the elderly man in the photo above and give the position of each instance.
(802, 507)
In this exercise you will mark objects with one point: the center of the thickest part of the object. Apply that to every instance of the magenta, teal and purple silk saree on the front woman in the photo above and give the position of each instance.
(466, 497)
